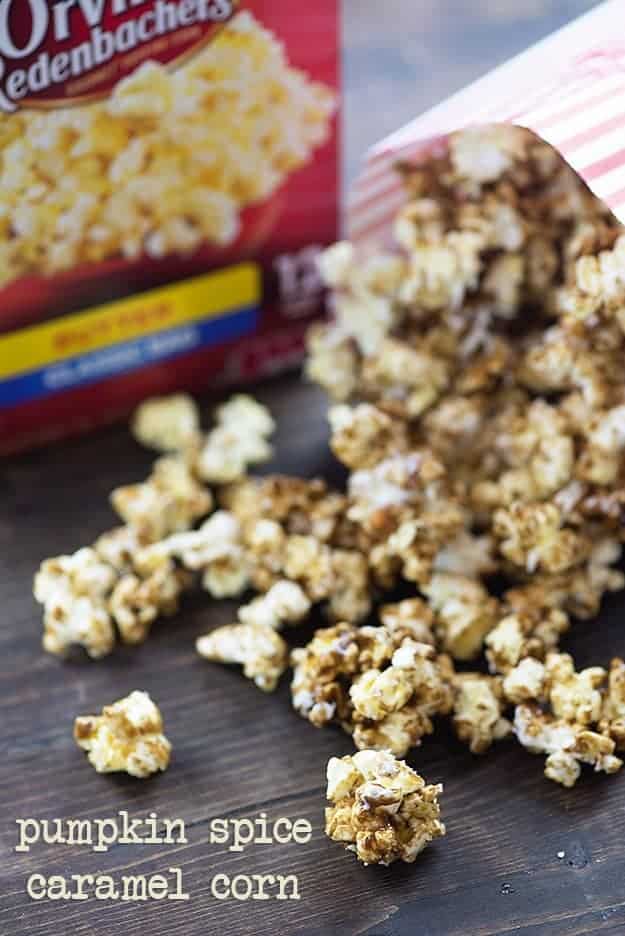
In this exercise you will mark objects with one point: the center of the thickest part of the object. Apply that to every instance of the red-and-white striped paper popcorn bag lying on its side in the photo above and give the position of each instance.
(569, 89)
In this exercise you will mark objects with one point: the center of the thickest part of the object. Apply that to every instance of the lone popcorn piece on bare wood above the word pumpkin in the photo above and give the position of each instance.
(127, 736)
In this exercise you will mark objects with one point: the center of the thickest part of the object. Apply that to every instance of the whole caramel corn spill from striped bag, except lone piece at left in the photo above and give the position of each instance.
(479, 407)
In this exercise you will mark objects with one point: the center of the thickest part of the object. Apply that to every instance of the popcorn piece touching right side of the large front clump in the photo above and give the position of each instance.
(478, 711)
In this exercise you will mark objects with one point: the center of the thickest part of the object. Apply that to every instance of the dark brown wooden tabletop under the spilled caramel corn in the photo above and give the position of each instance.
(238, 752)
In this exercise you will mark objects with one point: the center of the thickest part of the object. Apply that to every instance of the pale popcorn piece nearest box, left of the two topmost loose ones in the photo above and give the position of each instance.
(167, 424)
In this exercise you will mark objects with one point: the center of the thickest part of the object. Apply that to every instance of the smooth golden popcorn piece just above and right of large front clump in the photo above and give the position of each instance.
(465, 613)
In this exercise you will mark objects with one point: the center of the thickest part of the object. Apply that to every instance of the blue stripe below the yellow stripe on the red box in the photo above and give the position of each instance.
(126, 356)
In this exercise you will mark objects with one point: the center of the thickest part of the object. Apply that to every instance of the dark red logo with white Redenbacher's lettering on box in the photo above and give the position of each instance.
(55, 54)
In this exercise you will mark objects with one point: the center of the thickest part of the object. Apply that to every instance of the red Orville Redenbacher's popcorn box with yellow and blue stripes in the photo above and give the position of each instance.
(168, 174)
